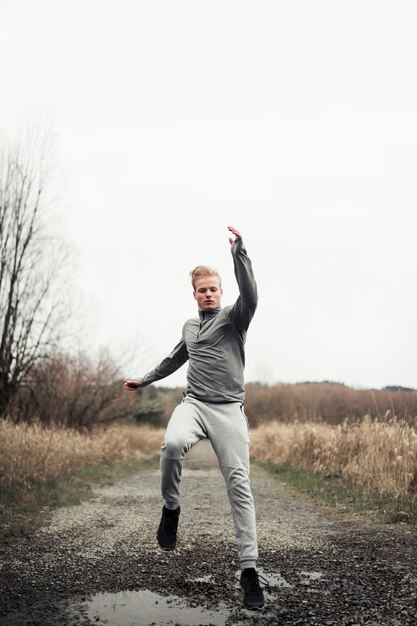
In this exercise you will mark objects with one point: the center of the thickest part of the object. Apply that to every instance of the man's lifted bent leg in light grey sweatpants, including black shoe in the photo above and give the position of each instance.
(183, 431)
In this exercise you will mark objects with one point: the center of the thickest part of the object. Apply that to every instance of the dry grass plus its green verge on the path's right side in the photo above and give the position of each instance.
(367, 468)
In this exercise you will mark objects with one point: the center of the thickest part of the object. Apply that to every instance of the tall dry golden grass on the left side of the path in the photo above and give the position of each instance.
(32, 452)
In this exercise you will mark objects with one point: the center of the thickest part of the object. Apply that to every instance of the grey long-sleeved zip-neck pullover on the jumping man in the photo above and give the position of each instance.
(214, 343)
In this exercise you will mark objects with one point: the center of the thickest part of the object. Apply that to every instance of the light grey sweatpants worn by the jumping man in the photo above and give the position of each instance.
(226, 426)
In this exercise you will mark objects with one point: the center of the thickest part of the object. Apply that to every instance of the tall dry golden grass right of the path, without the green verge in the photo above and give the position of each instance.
(378, 456)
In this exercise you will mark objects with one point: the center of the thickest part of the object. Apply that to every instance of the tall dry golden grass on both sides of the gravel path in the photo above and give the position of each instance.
(373, 455)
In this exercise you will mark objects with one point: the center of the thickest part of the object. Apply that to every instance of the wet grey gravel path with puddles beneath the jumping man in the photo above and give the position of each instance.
(320, 569)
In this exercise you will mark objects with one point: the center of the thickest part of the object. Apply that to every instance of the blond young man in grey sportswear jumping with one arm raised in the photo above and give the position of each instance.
(214, 346)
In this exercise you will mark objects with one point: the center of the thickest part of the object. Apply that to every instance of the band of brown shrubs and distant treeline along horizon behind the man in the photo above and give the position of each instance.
(74, 392)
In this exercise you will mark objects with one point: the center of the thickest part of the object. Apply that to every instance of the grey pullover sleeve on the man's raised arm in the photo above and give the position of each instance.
(245, 306)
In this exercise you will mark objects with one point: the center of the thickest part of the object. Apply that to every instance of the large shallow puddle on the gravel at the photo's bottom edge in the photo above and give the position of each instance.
(145, 608)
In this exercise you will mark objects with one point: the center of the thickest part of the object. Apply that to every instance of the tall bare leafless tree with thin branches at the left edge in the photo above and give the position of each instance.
(30, 265)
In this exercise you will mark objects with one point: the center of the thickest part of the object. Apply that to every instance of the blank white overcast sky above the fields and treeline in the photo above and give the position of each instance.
(294, 121)
